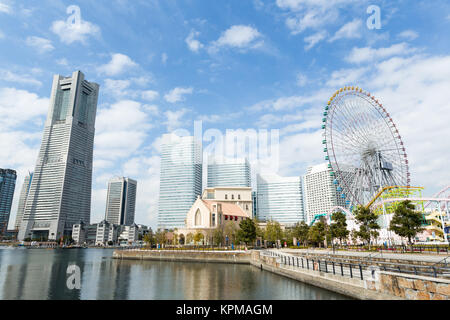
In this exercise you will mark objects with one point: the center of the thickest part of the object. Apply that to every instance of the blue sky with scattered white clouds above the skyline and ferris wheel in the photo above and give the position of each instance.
(251, 65)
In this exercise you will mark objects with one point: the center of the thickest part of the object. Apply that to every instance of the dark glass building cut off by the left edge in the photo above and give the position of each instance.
(7, 185)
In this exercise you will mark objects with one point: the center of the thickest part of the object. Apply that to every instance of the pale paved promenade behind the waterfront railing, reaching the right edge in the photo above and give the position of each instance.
(358, 254)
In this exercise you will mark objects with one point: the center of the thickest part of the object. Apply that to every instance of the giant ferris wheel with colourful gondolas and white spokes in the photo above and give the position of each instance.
(363, 146)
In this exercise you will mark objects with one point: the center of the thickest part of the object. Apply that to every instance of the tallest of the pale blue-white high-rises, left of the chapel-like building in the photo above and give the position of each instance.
(180, 180)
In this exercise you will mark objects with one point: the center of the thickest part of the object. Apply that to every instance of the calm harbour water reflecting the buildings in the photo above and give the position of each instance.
(41, 274)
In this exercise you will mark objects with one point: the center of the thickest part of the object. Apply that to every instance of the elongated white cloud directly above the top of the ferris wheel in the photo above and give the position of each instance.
(368, 54)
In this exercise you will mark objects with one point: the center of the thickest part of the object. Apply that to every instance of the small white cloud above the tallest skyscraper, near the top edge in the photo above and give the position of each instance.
(72, 32)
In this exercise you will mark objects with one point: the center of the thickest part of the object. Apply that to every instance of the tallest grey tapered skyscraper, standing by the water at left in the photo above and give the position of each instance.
(60, 191)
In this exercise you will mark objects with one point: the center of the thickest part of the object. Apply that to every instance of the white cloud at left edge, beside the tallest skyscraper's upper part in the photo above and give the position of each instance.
(20, 106)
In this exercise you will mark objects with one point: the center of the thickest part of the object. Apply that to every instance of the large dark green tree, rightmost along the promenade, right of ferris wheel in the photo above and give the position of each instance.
(406, 222)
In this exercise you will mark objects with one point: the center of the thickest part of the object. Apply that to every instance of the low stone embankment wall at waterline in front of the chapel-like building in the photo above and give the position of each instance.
(242, 257)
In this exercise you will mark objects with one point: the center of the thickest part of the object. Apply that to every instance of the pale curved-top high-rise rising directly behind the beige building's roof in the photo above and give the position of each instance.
(228, 173)
